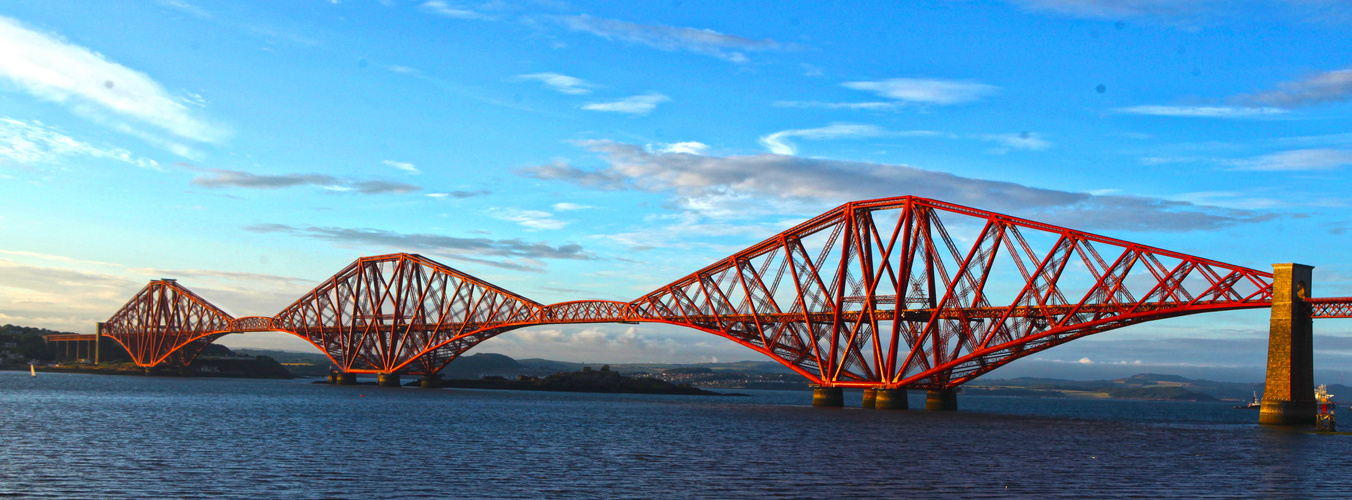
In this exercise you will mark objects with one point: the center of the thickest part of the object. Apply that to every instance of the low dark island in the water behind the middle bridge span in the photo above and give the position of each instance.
(587, 380)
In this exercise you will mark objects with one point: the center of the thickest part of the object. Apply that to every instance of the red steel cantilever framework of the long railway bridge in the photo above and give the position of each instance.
(874, 294)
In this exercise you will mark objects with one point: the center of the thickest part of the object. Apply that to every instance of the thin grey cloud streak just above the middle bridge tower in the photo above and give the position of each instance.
(504, 253)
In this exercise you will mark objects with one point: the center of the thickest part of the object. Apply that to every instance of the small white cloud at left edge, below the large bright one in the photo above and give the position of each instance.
(36, 144)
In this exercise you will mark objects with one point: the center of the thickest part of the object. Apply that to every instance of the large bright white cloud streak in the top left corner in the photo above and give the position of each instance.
(90, 84)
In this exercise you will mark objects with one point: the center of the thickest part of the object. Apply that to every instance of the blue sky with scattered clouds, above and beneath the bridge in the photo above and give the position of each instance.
(600, 151)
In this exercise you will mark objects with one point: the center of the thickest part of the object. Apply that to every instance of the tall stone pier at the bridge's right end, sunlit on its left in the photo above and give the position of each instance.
(1289, 393)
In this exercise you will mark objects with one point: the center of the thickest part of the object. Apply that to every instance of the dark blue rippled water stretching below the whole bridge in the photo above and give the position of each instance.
(82, 436)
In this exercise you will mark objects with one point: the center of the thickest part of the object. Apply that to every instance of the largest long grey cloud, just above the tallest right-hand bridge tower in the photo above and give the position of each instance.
(731, 186)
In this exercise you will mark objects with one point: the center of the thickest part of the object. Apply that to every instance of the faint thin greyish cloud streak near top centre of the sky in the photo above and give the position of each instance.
(706, 43)
